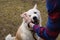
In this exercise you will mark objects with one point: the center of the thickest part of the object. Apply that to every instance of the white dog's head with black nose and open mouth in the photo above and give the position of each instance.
(34, 14)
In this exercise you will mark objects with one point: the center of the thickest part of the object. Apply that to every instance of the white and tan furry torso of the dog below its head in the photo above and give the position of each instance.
(24, 32)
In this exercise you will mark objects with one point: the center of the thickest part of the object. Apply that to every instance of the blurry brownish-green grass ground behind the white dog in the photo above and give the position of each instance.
(10, 11)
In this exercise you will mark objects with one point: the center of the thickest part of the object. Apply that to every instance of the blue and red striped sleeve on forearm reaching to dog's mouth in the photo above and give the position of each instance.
(45, 33)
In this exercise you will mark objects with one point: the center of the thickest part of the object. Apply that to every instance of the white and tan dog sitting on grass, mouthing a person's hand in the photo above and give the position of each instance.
(24, 32)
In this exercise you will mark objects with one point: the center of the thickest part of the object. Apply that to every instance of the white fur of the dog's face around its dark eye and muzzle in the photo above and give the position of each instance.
(38, 15)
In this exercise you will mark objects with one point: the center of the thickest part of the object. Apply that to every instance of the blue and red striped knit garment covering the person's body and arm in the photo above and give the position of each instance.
(52, 29)
